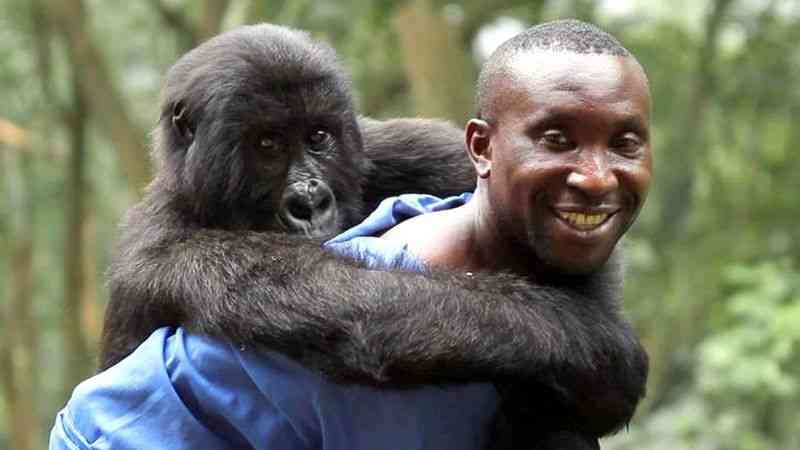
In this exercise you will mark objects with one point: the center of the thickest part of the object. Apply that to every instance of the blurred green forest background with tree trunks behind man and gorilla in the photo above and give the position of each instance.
(713, 281)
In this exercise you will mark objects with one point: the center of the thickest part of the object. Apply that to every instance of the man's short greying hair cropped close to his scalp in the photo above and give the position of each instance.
(568, 35)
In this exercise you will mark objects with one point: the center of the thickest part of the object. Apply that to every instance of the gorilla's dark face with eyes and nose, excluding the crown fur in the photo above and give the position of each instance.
(300, 161)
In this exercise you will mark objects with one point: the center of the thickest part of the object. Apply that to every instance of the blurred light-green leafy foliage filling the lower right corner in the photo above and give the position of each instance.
(747, 371)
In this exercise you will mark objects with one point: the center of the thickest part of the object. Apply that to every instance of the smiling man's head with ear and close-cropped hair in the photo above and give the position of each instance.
(562, 144)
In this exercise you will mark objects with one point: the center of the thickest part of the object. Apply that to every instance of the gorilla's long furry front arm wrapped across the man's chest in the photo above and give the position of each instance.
(374, 327)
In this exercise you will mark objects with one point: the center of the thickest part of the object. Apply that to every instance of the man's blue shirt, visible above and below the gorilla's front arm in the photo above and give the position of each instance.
(180, 390)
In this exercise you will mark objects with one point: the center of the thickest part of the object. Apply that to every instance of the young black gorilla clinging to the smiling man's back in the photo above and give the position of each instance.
(260, 150)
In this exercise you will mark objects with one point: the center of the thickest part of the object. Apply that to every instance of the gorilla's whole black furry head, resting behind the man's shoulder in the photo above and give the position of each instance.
(257, 131)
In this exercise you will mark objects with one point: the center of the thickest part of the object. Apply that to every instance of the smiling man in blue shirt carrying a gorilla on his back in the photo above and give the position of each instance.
(561, 149)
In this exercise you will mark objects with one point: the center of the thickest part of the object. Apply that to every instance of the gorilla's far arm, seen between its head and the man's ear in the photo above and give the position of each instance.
(422, 156)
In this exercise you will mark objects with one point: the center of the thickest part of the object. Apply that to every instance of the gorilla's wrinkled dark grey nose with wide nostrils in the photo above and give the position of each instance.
(309, 207)
